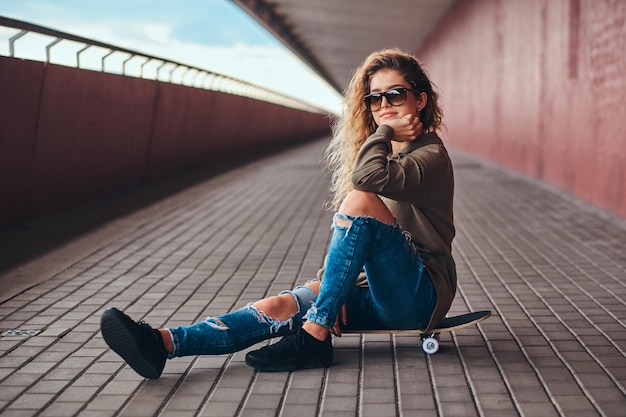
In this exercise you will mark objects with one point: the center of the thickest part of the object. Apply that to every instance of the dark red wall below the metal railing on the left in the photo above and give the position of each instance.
(69, 135)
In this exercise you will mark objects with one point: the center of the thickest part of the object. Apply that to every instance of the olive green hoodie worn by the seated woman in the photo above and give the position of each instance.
(417, 185)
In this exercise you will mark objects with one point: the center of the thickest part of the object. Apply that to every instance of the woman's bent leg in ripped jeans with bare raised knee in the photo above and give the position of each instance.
(366, 235)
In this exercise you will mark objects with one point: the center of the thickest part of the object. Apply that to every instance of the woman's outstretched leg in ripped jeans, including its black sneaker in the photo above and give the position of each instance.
(146, 349)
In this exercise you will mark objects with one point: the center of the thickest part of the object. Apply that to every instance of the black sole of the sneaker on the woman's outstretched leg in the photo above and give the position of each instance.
(121, 340)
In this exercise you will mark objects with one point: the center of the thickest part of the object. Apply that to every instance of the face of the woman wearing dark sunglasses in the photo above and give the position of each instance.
(388, 79)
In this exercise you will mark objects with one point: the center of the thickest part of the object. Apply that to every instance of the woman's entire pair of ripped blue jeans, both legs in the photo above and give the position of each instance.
(399, 294)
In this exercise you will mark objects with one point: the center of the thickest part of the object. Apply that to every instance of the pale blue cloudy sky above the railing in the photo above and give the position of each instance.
(212, 34)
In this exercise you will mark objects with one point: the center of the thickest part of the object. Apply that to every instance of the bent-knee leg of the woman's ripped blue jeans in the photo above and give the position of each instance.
(400, 295)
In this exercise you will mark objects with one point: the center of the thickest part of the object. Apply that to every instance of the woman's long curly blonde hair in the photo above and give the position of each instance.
(356, 123)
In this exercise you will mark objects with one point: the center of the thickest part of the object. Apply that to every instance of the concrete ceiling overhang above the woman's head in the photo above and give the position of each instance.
(334, 36)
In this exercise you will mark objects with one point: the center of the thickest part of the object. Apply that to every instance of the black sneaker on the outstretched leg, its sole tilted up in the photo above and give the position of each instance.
(138, 344)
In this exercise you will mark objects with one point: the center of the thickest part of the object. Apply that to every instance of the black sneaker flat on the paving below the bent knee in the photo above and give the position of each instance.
(297, 351)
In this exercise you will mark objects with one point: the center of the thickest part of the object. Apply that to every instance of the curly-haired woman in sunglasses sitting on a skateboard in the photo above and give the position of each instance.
(389, 262)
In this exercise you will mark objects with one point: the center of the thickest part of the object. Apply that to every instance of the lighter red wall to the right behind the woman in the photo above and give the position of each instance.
(539, 86)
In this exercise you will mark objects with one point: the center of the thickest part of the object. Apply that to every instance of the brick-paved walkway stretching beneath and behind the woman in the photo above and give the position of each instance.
(551, 270)
